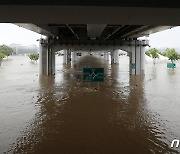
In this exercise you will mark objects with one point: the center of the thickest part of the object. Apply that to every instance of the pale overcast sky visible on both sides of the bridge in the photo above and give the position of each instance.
(10, 33)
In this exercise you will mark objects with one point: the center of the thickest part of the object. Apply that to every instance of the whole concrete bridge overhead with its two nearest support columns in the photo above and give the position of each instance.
(97, 25)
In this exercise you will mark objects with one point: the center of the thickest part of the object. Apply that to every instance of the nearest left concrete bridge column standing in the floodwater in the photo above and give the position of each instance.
(46, 60)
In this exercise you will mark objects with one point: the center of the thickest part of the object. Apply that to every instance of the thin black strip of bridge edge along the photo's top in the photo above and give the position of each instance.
(127, 3)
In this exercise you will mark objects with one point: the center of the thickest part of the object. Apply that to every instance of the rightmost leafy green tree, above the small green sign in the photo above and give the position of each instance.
(172, 54)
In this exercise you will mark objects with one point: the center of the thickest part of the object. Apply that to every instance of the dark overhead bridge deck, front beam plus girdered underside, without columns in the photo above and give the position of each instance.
(83, 20)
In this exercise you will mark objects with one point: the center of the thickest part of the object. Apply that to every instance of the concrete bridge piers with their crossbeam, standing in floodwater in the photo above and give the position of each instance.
(137, 50)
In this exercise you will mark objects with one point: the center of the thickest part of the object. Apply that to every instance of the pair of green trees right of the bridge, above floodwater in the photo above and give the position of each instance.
(169, 52)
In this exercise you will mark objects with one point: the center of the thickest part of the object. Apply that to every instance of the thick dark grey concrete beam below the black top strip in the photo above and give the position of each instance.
(56, 14)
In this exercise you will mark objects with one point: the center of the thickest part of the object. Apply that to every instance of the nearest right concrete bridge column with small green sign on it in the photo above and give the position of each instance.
(137, 60)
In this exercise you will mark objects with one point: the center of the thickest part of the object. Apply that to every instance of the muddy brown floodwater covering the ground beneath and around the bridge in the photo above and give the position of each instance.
(124, 114)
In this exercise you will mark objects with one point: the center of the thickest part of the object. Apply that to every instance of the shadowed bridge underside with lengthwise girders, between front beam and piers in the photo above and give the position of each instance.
(101, 32)
